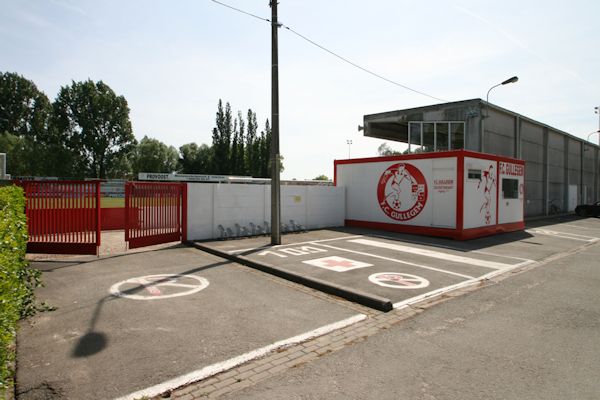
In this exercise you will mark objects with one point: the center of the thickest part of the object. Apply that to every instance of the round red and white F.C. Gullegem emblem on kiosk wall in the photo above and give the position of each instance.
(402, 192)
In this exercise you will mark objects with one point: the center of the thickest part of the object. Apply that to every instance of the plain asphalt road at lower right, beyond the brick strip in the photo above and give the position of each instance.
(531, 336)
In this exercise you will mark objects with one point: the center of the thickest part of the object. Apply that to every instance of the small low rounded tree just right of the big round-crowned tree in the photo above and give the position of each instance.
(152, 155)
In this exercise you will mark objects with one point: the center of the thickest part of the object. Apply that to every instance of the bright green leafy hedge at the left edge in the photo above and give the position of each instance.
(17, 282)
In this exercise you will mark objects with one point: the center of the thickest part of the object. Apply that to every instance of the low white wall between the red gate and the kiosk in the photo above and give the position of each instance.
(213, 204)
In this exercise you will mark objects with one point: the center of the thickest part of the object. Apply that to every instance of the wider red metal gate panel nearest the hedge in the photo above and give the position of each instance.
(63, 217)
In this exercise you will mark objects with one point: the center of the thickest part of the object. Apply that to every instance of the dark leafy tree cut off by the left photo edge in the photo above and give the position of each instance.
(24, 116)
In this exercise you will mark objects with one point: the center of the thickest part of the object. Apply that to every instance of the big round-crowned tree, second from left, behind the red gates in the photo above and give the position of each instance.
(93, 122)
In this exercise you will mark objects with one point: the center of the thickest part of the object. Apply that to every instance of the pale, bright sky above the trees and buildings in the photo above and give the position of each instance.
(174, 60)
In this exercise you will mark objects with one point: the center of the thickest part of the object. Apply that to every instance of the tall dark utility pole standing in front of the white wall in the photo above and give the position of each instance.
(275, 182)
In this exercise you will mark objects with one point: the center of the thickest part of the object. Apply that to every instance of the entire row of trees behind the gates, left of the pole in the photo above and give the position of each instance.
(86, 133)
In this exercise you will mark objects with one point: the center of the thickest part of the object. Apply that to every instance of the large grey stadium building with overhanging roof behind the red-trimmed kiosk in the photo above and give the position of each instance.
(561, 170)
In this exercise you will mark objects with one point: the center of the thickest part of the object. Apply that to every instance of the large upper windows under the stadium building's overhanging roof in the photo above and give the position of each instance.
(435, 136)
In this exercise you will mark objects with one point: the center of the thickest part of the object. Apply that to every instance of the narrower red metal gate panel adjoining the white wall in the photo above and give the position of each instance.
(155, 213)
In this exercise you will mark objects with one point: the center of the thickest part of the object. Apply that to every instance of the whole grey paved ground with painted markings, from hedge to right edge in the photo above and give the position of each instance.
(102, 342)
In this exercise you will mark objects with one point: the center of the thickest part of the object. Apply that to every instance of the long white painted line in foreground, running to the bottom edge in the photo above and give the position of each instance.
(214, 369)
